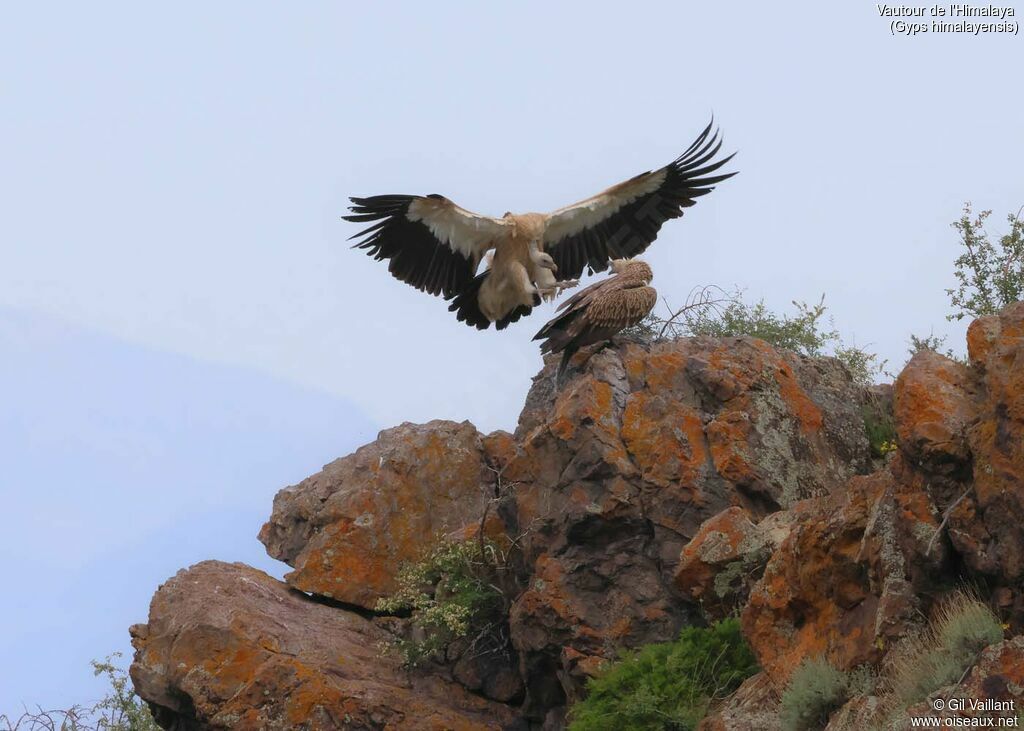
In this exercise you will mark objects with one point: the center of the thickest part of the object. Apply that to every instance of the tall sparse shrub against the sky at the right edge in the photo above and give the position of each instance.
(990, 277)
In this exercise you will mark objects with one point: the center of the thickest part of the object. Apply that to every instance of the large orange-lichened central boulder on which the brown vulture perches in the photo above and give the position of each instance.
(617, 471)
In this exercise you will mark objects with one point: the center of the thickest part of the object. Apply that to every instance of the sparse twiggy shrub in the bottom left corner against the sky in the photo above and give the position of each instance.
(121, 709)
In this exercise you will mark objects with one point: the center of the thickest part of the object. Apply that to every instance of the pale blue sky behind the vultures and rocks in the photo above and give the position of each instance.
(175, 177)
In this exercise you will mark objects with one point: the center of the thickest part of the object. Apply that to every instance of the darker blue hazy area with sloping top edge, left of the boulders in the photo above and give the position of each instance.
(121, 465)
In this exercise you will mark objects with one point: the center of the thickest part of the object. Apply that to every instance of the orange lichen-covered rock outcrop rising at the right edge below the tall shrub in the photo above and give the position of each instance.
(962, 439)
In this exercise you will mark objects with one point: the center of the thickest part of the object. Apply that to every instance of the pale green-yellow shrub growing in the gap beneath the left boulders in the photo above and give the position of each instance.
(449, 595)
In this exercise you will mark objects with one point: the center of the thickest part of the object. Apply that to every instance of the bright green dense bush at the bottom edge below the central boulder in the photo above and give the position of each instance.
(668, 685)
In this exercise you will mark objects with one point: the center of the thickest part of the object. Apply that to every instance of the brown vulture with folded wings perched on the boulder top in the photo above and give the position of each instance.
(602, 311)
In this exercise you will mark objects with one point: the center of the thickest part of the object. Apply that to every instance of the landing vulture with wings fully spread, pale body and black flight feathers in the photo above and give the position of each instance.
(437, 247)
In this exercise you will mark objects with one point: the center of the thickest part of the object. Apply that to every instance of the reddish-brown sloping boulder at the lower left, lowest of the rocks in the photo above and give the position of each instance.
(229, 648)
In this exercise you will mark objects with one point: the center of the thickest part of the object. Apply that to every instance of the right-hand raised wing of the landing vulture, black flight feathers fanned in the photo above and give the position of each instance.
(622, 222)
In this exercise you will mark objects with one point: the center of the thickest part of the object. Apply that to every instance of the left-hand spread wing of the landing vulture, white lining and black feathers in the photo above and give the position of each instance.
(432, 243)
